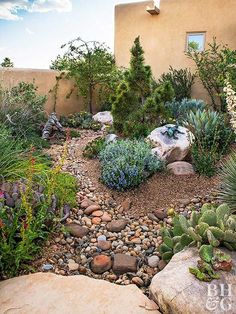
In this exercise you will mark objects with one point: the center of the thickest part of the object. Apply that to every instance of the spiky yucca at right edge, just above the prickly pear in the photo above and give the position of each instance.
(227, 191)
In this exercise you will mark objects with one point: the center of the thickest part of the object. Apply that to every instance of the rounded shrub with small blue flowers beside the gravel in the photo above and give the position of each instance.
(125, 164)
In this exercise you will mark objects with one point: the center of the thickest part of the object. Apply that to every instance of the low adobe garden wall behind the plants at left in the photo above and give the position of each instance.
(45, 80)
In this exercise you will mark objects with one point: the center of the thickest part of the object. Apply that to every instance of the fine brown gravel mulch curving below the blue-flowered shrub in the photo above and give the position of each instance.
(162, 190)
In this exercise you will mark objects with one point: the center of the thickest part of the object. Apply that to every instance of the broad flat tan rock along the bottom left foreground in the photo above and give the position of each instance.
(47, 293)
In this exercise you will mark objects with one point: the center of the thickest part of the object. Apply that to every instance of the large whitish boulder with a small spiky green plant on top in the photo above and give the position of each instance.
(170, 148)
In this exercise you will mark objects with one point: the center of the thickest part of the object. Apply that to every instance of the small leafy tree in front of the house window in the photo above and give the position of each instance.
(213, 65)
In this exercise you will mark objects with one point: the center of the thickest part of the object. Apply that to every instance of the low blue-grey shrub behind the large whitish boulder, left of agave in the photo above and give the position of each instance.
(179, 109)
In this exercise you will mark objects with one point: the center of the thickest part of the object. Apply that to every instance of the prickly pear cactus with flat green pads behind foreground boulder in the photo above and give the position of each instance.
(211, 227)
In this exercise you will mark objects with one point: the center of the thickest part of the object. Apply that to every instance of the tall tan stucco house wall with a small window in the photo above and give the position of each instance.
(163, 36)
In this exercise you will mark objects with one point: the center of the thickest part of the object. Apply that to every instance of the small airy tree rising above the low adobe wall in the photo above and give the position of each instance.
(89, 63)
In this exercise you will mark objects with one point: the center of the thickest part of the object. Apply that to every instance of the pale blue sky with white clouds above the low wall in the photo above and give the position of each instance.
(32, 31)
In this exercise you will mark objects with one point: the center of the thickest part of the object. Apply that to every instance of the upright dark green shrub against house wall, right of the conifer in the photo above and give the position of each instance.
(181, 81)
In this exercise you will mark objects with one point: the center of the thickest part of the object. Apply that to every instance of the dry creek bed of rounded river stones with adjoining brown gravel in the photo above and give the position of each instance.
(115, 237)
